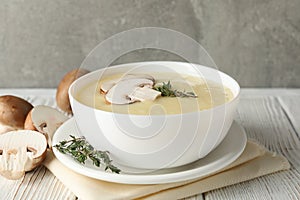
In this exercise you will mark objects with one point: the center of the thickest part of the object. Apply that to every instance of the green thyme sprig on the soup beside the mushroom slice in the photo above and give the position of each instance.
(167, 91)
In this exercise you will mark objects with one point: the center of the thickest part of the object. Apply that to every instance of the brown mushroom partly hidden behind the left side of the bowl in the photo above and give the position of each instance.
(62, 96)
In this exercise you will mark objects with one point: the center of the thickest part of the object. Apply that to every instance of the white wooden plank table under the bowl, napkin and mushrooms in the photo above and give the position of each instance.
(271, 116)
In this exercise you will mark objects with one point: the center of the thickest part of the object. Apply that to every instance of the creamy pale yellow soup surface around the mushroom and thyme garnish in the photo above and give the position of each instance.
(209, 94)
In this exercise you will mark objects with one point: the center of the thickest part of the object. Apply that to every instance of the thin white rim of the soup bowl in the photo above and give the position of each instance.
(236, 96)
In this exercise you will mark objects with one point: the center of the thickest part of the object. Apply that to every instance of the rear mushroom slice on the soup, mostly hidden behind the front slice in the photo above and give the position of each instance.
(109, 84)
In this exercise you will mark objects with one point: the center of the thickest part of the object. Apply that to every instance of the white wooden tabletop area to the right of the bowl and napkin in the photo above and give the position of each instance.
(274, 122)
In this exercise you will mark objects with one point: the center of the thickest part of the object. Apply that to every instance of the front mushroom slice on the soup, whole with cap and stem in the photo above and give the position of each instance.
(131, 90)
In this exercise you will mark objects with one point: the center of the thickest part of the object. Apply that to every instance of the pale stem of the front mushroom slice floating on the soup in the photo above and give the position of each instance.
(144, 93)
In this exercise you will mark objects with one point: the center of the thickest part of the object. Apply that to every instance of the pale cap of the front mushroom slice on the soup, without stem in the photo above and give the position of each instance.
(119, 93)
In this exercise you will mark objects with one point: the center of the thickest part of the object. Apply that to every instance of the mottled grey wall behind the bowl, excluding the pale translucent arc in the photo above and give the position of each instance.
(257, 42)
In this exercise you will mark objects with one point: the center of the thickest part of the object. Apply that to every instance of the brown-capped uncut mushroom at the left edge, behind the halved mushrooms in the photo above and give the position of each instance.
(13, 112)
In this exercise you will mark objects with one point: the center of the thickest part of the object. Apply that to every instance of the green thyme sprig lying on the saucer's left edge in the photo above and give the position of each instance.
(81, 150)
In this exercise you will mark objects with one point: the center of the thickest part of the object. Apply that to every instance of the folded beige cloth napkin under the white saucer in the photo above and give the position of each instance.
(255, 161)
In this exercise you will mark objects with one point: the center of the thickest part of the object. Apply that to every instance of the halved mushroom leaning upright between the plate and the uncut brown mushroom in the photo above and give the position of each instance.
(46, 120)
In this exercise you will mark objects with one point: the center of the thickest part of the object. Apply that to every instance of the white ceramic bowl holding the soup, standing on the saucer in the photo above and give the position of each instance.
(155, 141)
